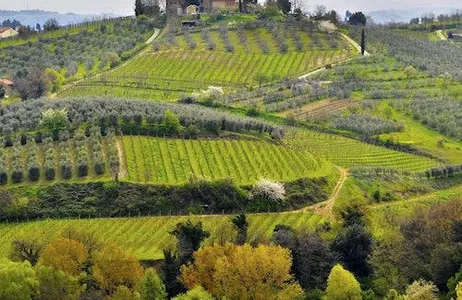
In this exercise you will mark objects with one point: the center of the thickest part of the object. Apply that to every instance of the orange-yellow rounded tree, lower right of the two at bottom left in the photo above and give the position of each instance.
(113, 267)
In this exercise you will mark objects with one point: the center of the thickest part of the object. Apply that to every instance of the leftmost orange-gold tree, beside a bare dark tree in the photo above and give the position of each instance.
(67, 255)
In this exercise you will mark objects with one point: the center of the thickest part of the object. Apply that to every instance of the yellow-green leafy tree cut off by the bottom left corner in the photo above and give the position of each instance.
(17, 280)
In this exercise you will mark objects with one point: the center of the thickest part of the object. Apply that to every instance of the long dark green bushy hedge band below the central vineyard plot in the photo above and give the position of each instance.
(125, 199)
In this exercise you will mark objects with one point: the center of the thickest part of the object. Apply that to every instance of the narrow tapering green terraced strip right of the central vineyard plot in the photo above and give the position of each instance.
(351, 153)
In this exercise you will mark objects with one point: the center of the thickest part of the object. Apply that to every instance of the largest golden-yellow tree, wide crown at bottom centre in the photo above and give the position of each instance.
(243, 272)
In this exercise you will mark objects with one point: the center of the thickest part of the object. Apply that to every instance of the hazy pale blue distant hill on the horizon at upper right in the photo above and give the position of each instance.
(404, 15)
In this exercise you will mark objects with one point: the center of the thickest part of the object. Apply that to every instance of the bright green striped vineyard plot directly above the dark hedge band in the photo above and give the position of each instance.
(174, 161)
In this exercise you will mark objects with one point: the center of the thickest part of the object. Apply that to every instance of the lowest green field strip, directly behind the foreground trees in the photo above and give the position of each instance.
(145, 237)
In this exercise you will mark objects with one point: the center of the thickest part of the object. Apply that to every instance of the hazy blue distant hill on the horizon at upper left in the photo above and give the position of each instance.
(32, 17)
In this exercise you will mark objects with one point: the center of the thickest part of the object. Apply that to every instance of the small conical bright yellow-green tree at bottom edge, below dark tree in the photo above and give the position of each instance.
(342, 285)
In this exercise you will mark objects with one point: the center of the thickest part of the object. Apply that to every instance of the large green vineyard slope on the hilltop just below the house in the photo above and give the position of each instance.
(176, 69)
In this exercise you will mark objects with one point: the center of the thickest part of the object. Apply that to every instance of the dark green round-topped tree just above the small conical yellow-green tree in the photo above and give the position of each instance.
(354, 245)
